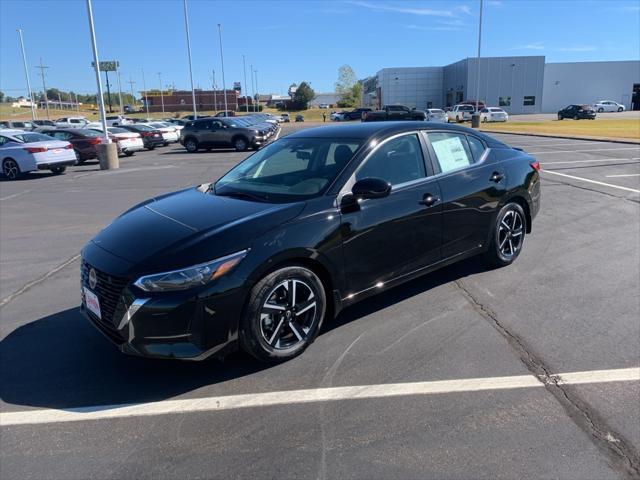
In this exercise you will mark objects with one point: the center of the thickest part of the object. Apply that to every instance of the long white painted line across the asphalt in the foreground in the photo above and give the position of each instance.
(293, 397)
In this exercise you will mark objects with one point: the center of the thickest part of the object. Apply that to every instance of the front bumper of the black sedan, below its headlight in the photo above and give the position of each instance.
(178, 325)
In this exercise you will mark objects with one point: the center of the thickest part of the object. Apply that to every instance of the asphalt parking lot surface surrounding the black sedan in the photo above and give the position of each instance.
(569, 304)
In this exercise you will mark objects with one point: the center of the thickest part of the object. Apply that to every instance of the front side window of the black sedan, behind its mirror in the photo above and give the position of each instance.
(396, 161)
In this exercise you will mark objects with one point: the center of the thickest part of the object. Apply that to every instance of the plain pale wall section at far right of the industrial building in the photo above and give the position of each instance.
(588, 82)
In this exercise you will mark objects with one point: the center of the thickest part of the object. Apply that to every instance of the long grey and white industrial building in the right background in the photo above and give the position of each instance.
(524, 84)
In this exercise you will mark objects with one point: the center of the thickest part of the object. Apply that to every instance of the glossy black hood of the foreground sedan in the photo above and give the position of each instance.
(190, 227)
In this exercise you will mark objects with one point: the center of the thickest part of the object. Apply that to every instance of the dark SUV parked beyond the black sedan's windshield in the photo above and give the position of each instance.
(210, 133)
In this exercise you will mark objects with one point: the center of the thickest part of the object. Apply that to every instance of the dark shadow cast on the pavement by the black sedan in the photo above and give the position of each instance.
(61, 361)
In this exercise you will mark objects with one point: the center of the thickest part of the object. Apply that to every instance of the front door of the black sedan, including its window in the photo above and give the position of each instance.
(386, 238)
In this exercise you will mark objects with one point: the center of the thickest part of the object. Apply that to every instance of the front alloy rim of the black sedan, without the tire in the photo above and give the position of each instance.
(288, 314)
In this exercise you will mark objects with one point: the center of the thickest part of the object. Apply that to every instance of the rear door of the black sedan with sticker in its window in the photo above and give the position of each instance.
(471, 185)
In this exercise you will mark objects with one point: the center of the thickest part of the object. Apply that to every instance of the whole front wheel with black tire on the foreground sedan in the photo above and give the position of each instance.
(279, 333)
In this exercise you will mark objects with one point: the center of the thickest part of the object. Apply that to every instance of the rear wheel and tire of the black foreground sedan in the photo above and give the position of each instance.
(504, 248)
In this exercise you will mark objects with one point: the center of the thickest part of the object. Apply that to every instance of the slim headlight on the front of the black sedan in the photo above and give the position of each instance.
(190, 277)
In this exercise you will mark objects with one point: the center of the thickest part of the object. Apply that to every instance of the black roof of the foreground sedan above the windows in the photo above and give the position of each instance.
(367, 130)
